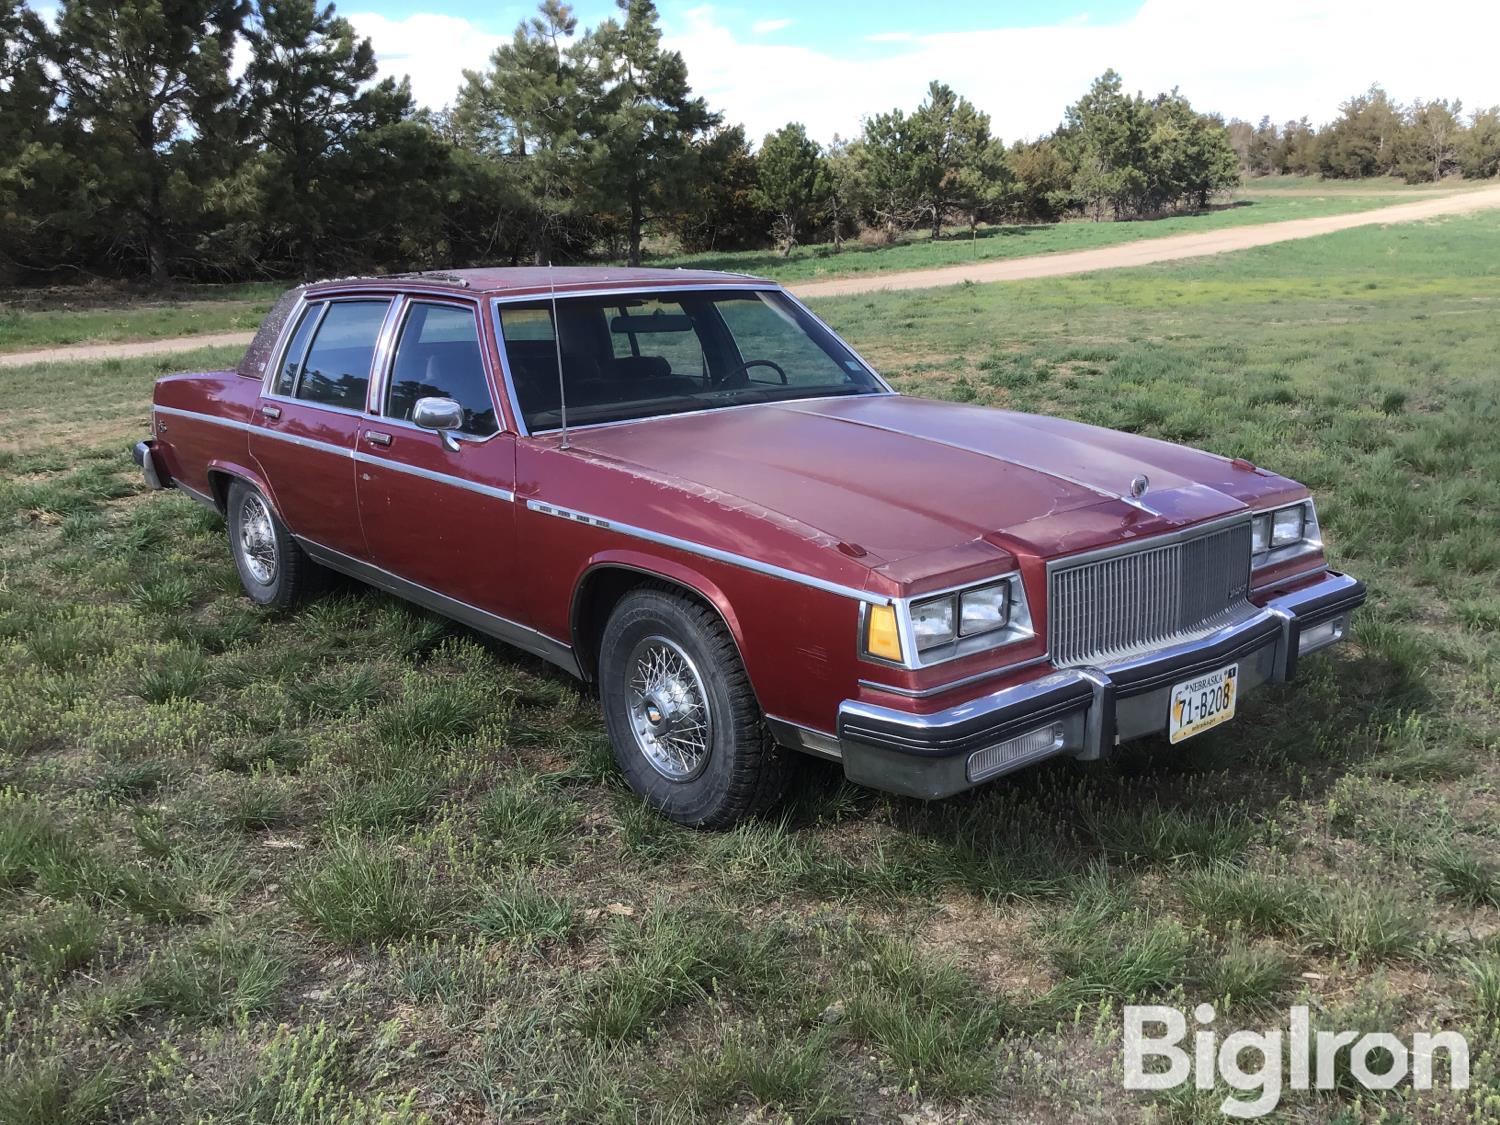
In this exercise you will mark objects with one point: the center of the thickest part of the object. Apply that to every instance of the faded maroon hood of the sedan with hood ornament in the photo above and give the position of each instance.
(904, 478)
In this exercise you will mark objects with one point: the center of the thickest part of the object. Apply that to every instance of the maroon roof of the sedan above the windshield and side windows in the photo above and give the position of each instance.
(536, 280)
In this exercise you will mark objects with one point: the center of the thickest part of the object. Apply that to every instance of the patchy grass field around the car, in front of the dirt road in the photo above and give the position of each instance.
(359, 866)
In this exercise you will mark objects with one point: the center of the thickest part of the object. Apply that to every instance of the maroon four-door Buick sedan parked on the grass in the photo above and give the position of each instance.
(686, 490)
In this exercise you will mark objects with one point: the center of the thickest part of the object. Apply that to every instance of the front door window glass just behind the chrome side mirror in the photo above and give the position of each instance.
(440, 356)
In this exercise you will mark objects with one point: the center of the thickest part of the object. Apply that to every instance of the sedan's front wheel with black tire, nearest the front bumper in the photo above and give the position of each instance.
(743, 772)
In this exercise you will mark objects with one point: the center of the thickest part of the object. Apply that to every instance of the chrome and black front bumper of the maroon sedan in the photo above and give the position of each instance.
(1082, 712)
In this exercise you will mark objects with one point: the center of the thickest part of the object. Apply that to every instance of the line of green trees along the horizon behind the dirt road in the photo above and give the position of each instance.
(131, 148)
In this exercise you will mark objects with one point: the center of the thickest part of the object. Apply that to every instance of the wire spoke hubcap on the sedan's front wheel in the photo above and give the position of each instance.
(670, 710)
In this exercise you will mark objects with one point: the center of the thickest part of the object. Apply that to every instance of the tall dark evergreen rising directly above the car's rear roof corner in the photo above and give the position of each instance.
(311, 95)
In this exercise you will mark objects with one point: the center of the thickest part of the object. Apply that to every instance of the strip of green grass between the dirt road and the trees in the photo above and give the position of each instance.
(38, 320)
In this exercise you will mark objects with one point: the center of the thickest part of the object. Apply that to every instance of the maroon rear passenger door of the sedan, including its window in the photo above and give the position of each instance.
(310, 419)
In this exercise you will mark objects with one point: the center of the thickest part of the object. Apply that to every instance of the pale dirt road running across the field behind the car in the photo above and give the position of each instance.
(1144, 253)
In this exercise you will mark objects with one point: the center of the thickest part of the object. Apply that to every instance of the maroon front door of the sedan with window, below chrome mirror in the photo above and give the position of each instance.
(433, 515)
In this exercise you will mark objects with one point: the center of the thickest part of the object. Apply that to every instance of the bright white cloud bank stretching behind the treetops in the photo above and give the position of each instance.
(1282, 58)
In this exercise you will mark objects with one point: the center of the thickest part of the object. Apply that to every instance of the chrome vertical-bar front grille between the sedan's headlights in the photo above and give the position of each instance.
(1127, 604)
